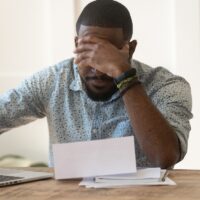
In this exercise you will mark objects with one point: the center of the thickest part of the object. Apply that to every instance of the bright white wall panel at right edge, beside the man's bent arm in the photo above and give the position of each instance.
(187, 43)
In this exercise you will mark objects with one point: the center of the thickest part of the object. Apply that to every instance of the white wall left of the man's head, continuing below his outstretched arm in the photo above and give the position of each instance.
(33, 35)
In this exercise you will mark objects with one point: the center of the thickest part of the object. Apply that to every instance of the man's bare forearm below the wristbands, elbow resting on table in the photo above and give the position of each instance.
(155, 136)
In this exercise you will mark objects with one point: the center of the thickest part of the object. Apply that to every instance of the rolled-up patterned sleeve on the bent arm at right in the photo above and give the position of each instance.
(173, 99)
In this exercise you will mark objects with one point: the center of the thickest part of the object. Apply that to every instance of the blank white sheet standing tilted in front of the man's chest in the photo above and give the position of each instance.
(93, 158)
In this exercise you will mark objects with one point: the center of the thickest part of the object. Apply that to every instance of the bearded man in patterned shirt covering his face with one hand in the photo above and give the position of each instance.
(103, 93)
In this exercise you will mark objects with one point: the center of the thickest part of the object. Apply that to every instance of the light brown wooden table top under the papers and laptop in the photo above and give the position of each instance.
(187, 188)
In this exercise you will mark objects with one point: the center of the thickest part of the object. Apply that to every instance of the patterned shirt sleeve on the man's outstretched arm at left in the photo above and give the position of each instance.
(23, 104)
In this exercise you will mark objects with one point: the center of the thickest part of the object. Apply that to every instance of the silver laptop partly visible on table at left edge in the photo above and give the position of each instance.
(13, 176)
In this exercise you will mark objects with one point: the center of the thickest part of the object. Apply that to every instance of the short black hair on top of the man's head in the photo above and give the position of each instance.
(106, 13)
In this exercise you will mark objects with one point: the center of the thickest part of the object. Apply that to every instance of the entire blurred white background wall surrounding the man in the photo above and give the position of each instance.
(37, 33)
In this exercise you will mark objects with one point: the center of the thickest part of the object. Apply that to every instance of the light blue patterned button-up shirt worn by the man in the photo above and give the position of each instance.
(57, 93)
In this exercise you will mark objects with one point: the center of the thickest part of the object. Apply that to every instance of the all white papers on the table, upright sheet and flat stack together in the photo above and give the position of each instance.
(109, 163)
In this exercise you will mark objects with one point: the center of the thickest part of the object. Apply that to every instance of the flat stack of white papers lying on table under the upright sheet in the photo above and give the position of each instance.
(146, 176)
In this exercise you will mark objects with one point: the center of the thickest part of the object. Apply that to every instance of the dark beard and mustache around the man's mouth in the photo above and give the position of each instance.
(100, 95)
